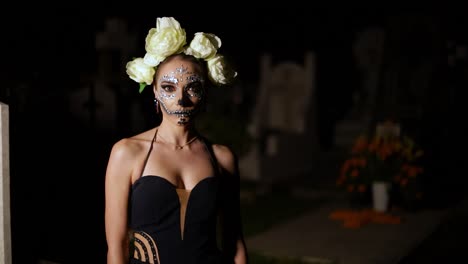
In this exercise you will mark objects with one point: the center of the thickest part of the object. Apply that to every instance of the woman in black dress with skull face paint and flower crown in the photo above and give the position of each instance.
(171, 195)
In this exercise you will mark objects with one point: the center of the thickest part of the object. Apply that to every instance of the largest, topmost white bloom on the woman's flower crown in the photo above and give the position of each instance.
(166, 39)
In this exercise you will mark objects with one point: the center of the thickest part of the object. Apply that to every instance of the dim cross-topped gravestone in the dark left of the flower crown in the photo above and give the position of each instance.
(96, 102)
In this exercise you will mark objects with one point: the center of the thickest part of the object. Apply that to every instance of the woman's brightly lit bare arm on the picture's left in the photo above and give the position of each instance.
(117, 186)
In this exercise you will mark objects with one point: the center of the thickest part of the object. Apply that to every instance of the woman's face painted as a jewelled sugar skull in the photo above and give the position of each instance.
(180, 90)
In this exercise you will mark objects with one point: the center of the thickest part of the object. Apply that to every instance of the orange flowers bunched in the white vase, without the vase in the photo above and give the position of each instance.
(387, 157)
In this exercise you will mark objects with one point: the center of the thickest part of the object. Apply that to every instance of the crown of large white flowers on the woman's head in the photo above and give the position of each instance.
(169, 38)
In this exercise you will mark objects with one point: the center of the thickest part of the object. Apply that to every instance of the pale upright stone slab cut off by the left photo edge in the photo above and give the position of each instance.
(5, 225)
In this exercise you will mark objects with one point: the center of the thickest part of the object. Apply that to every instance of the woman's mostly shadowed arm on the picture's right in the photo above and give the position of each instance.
(234, 243)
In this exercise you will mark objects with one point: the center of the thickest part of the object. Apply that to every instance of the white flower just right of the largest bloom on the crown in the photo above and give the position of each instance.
(204, 45)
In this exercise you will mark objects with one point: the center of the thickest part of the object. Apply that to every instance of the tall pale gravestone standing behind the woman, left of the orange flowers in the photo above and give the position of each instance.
(282, 122)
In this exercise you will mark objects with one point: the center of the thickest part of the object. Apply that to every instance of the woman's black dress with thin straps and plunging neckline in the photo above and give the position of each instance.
(155, 219)
